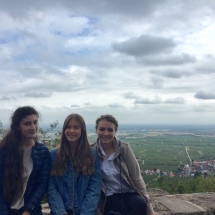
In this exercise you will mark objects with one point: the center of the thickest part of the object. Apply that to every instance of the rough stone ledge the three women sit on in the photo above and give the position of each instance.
(179, 204)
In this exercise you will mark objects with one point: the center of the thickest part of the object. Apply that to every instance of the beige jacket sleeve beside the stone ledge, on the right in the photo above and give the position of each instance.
(135, 175)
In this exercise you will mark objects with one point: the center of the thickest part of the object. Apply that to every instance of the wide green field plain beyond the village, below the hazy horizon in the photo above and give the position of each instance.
(167, 152)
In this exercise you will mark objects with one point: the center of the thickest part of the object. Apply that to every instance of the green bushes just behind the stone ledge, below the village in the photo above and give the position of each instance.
(181, 186)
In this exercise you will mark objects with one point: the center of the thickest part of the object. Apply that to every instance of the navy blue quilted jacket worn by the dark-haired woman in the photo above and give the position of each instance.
(37, 183)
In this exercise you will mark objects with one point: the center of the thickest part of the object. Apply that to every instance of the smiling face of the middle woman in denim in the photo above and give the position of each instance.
(73, 131)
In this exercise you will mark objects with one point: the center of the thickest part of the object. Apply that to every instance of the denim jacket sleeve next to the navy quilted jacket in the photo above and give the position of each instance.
(55, 201)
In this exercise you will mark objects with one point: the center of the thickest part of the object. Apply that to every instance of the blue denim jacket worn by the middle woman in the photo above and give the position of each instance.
(74, 191)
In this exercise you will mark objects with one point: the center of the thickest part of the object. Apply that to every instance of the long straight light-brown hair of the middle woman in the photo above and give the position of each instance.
(83, 160)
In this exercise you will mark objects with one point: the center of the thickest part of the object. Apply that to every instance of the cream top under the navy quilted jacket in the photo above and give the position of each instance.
(28, 167)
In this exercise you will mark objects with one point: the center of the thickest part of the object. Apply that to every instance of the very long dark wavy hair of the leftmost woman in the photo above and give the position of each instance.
(10, 148)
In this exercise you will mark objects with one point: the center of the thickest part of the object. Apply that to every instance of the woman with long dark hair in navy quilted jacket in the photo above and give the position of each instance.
(24, 165)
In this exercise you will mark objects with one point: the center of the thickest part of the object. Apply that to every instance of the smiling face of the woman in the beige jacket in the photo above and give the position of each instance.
(106, 132)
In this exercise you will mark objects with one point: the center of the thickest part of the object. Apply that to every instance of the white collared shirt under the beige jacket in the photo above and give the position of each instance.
(111, 177)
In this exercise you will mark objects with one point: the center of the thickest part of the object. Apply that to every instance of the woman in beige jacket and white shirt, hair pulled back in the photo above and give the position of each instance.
(123, 191)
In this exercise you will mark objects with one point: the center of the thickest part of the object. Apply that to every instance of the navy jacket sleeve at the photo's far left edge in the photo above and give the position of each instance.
(3, 205)
